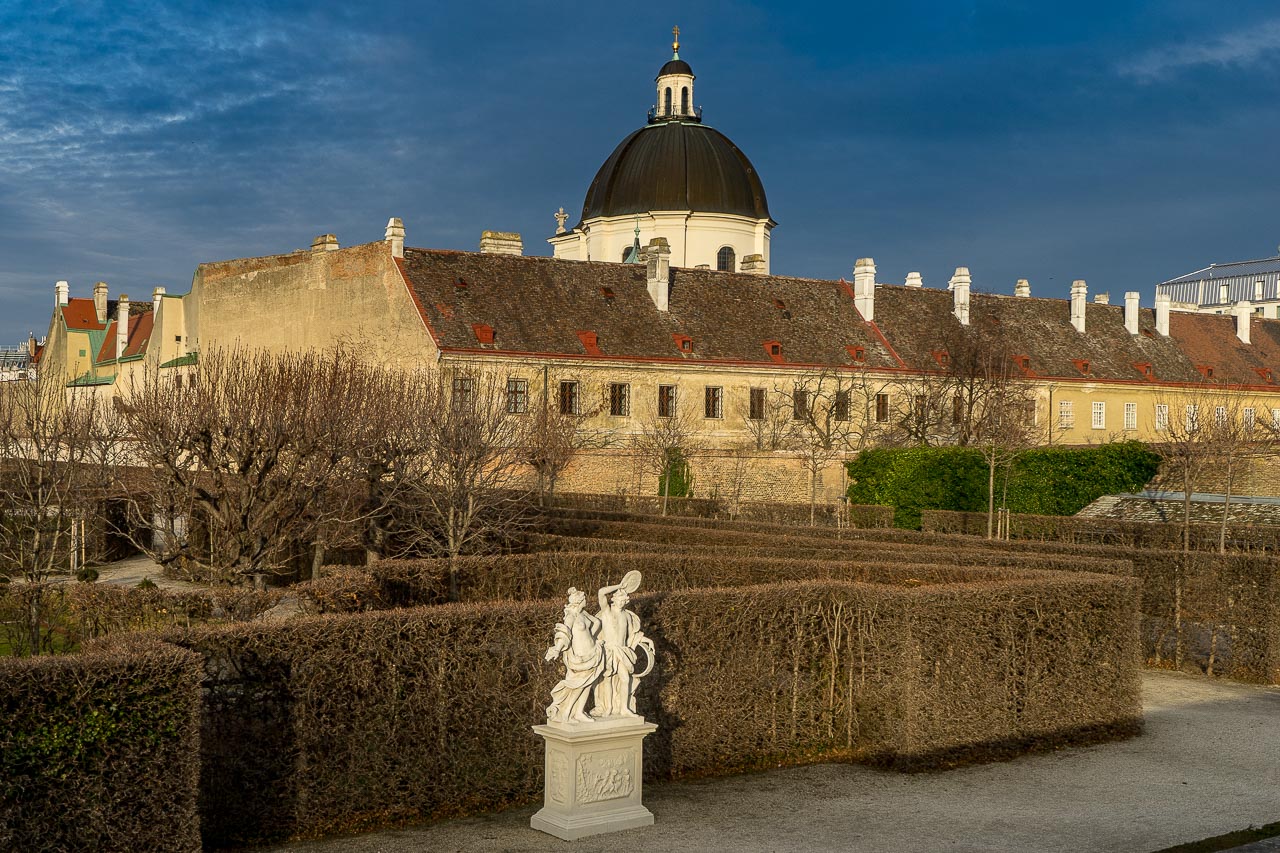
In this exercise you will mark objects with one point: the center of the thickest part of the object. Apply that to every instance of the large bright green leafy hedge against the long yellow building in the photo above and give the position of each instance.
(1046, 481)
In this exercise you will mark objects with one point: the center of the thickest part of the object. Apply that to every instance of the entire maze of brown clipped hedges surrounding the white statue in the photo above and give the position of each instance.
(778, 645)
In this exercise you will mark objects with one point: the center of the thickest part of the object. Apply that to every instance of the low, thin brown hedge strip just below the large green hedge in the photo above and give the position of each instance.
(1135, 535)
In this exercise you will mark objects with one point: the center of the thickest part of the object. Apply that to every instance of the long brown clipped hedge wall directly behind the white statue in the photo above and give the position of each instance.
(337, 723)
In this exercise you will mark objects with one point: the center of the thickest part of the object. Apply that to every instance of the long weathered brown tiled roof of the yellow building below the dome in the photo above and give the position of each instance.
(541, 305)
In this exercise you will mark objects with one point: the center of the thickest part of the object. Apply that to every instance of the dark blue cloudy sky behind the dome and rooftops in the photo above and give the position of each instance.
(1121, 143)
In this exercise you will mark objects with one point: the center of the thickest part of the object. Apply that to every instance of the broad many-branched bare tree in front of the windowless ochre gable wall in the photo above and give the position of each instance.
(252, 448)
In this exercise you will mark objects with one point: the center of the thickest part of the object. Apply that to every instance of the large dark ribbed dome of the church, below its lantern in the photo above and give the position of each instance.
(676, 166)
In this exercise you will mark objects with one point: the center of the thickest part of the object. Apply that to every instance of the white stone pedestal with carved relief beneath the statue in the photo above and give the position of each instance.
(593, 778)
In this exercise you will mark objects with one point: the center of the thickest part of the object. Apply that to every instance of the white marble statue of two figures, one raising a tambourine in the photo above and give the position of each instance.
(600, 656)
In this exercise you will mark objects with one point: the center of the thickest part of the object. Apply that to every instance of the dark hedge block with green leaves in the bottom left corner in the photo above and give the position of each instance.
(99, 751)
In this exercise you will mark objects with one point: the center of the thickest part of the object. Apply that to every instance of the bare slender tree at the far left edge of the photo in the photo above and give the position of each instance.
(57, 450)
